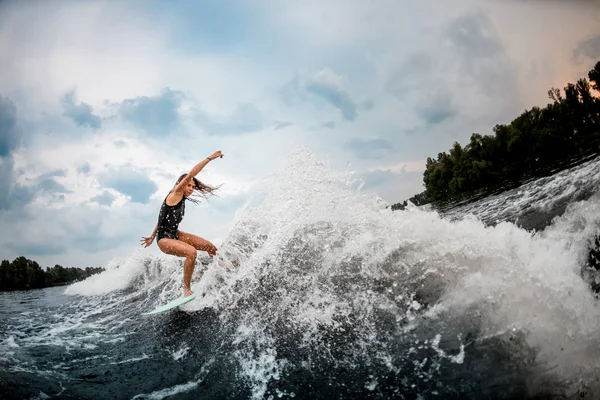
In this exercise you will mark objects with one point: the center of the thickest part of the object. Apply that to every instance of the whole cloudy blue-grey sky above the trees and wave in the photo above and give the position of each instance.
(103, 104)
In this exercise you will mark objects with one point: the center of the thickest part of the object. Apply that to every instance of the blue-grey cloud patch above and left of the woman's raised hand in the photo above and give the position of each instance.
(157, 115)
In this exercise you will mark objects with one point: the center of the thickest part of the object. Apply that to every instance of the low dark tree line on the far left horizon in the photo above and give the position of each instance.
(24, 274)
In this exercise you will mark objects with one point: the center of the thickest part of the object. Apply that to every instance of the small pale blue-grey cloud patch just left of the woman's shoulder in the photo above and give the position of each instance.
(130, 182)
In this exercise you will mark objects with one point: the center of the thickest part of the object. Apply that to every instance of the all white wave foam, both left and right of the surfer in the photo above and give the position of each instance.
(325, 253)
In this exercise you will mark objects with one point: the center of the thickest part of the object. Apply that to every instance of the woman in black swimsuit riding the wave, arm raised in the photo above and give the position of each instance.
(170, 239)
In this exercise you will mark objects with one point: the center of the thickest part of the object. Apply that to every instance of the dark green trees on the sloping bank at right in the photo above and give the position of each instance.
(537, 142)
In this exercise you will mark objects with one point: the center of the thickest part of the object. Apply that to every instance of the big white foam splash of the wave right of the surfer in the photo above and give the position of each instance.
(518, 279)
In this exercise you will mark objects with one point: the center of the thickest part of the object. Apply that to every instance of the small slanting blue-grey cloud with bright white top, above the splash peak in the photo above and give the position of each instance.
(327, 85)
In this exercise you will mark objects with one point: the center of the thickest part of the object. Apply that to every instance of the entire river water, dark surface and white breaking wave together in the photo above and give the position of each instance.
(331, 295)
